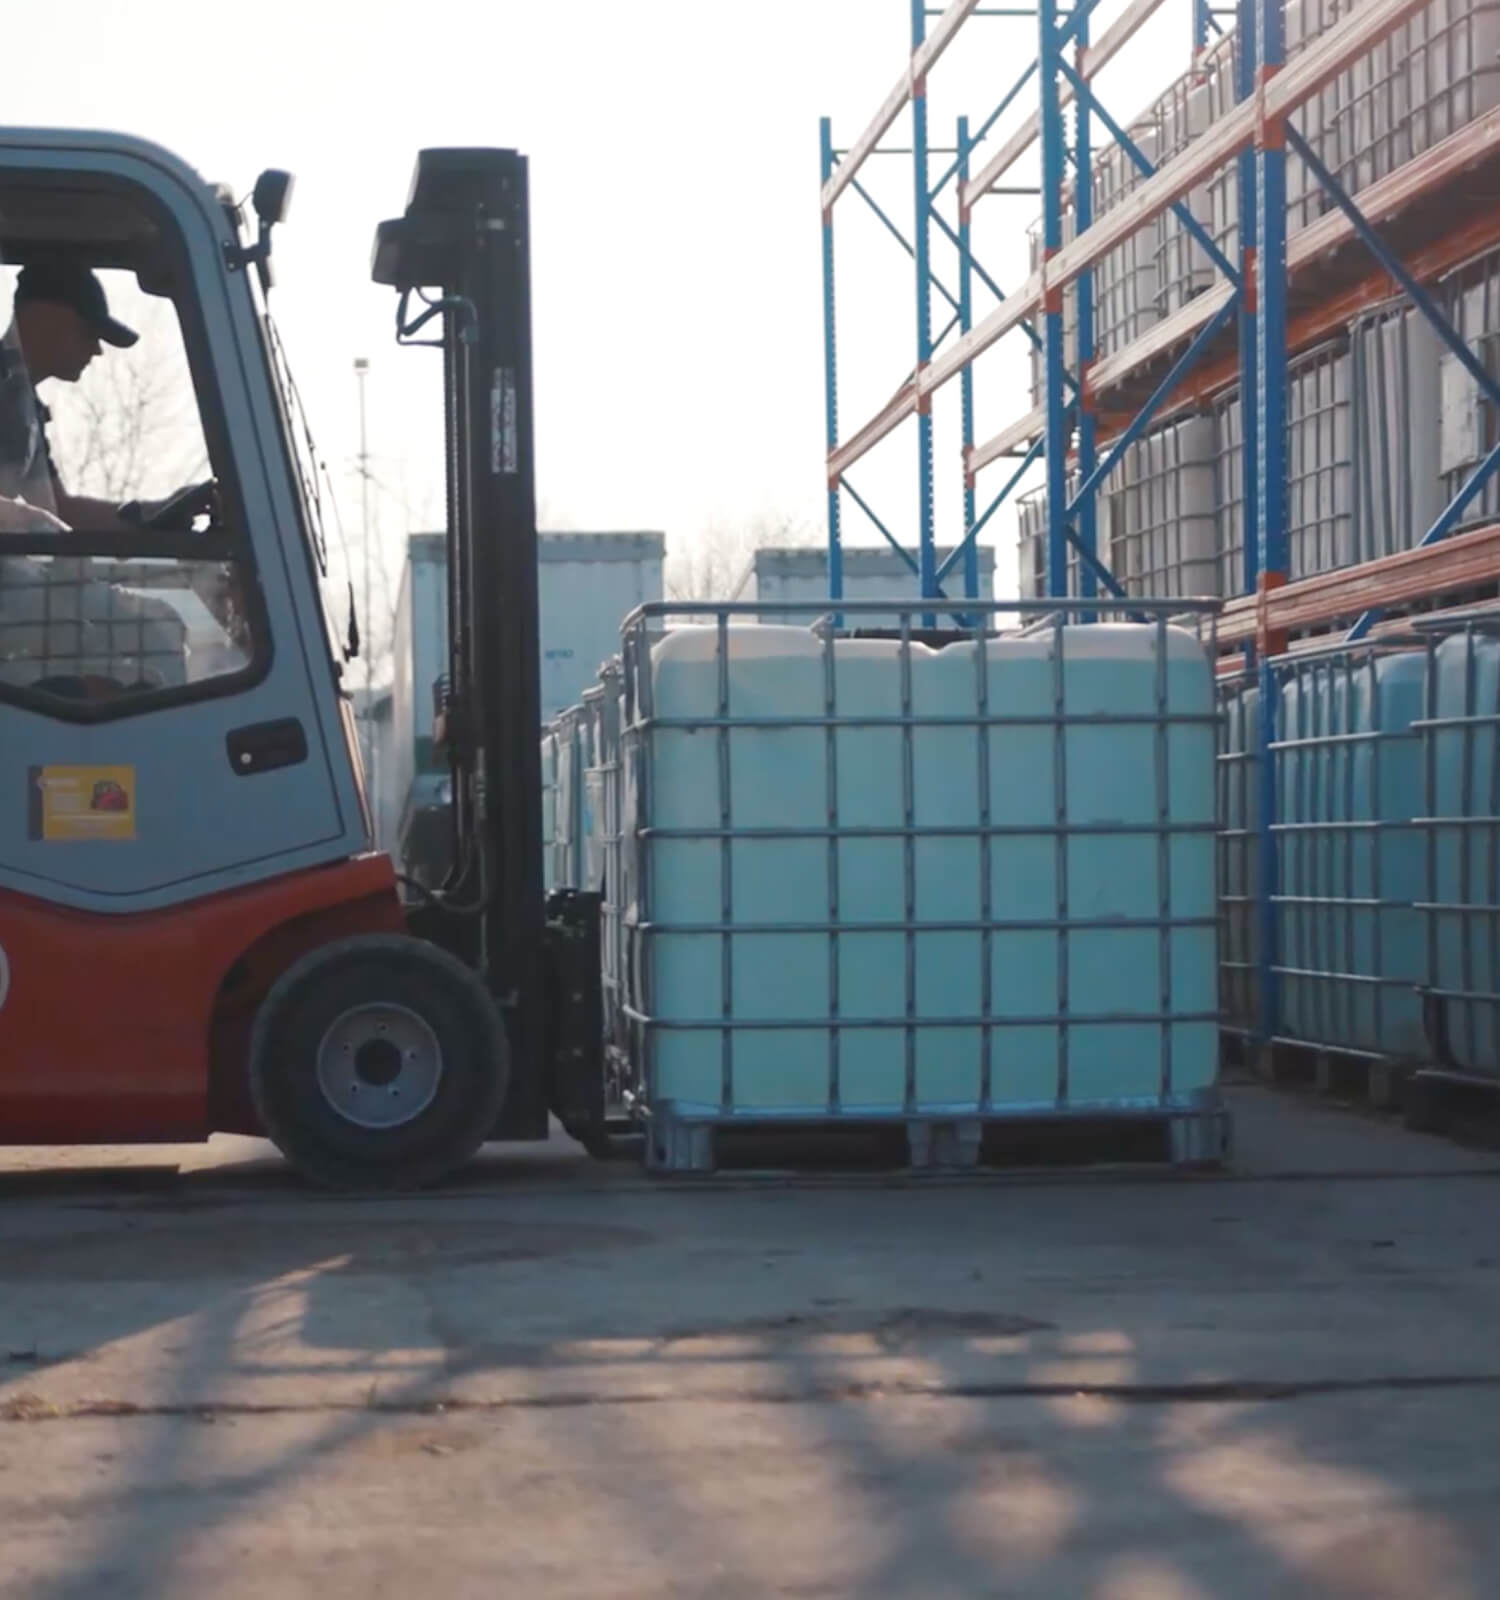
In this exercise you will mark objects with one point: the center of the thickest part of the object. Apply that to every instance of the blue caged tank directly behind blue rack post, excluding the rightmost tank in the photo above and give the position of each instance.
(1347, 884)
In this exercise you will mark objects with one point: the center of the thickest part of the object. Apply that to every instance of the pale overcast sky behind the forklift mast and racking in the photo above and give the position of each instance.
(676, 223)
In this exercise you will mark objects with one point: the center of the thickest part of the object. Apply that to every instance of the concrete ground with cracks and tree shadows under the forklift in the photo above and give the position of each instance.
(559, 1378)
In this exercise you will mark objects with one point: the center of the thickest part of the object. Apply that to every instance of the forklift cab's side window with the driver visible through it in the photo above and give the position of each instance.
(124, 574)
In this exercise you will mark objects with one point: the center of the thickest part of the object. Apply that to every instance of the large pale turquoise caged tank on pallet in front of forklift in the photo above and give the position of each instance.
(869, 878)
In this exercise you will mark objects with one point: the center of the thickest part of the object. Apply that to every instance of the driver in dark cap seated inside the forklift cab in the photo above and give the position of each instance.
(58, 324)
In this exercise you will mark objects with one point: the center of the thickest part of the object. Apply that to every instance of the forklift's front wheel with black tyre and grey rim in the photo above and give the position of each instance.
(378, 1063)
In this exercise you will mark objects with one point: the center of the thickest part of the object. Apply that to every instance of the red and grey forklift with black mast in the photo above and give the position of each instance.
(196, 930)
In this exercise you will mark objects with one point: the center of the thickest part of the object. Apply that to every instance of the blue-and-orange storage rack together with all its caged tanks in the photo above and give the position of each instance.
(1261, 332)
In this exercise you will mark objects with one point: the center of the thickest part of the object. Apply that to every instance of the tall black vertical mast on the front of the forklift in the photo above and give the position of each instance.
(463, 252)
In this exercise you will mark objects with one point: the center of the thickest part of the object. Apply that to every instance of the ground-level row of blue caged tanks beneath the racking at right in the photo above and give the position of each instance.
(1387, 847)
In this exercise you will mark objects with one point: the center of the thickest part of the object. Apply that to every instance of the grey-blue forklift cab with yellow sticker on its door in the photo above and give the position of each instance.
(178, 652)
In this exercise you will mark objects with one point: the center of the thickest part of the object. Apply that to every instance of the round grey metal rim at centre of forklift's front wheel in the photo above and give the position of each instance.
(380, 1066)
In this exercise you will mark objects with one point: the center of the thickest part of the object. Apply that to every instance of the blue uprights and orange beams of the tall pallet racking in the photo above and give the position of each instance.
(1275, 294)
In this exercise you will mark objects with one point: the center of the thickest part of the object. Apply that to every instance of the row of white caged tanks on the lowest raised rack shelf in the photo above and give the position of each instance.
(1384, 426)
